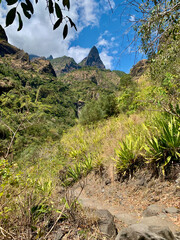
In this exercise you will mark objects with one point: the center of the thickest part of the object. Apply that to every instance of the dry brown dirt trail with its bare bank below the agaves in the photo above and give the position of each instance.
(127, 201)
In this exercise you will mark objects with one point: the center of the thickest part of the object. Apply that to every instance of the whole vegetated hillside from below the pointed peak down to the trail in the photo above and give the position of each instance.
(56, 130)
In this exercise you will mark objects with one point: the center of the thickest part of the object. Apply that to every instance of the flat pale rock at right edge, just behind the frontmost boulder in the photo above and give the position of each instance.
(161, 221)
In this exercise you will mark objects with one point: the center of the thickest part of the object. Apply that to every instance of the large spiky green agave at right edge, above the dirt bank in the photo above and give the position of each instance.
(164, 149)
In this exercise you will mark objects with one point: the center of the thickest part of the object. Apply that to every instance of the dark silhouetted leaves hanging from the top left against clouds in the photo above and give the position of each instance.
(53, 7)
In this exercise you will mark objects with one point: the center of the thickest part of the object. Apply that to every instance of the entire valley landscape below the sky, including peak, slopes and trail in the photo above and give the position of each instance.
(86, 152)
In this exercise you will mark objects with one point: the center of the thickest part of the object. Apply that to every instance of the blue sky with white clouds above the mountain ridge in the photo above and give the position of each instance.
(101, 23)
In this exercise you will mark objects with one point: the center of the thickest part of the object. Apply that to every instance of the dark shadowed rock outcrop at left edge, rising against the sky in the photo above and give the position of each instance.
(5, 47)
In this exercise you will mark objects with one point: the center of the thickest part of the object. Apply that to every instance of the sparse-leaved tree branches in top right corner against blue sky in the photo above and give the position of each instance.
(156, 20)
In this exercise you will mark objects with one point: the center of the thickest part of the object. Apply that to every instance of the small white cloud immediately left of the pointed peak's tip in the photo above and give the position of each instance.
(78, 53)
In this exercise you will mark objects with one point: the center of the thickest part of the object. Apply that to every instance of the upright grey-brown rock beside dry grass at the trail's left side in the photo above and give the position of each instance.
(106, 222)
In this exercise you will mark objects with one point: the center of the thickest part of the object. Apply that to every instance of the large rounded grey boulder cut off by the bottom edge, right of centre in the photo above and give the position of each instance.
(144, 232)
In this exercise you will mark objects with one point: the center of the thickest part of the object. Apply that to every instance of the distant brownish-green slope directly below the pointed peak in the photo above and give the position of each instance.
(89, 83)
